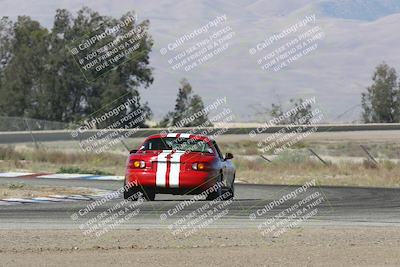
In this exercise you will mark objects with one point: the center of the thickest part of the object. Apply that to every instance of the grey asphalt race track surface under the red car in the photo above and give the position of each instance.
(342, 206)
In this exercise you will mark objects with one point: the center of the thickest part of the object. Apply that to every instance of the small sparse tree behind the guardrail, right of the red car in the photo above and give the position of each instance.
(300, 113)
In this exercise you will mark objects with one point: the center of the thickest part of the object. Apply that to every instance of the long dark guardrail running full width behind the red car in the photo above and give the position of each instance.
(66, 135)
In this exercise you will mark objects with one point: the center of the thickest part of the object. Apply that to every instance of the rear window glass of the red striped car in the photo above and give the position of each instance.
(172, 143)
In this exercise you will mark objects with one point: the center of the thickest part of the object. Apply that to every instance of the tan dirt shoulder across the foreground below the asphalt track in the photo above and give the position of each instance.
(316, 246)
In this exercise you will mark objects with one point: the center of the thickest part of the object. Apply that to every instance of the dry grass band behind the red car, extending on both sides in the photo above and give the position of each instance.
(290, 167)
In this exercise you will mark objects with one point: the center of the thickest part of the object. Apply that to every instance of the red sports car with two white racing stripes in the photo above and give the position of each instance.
(179, 163)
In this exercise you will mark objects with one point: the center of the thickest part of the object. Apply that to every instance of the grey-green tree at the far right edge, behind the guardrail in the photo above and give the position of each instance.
(381, 102)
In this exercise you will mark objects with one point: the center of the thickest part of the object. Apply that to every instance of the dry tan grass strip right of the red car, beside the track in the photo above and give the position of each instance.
(297, 169)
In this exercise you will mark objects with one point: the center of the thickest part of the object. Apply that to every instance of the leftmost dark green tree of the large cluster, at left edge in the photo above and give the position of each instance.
(22, 77)
